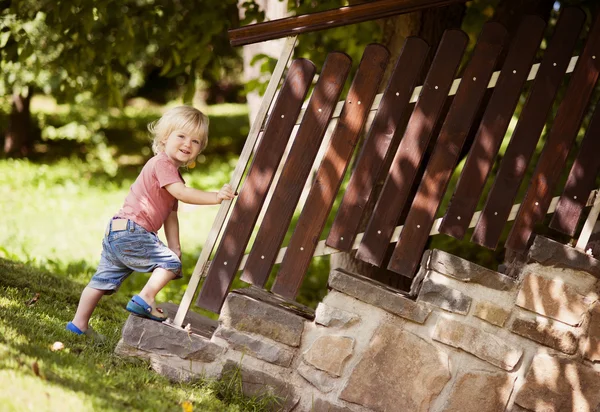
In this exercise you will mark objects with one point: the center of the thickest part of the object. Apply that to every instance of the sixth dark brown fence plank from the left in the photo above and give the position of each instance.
(455, 129)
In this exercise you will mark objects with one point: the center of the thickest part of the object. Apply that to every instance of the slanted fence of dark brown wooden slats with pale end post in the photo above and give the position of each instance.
(351, 118)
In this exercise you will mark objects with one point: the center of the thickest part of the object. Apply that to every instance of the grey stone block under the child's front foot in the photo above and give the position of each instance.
(156, 337)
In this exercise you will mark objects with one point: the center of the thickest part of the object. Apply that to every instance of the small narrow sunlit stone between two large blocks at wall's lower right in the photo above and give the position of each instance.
(545, 334)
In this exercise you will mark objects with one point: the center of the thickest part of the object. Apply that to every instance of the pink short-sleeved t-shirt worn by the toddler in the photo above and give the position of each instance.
(148, 203)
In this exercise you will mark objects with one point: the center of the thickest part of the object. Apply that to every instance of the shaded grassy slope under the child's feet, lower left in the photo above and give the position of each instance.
(84, 376)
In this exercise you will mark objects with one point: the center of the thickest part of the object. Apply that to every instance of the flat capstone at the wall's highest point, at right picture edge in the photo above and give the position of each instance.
(551, 253)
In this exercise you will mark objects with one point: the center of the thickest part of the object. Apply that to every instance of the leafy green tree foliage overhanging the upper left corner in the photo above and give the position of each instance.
(104, 48)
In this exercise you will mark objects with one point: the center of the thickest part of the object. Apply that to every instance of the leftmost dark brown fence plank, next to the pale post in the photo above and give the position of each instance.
(252, 194)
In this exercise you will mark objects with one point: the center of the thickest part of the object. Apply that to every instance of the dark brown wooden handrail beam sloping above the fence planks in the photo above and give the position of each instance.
(344, 16)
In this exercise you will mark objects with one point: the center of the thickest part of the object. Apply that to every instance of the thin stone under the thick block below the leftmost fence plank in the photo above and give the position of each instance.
(257, 346)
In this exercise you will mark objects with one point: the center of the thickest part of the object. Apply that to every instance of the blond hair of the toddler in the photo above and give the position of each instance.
(185, 118)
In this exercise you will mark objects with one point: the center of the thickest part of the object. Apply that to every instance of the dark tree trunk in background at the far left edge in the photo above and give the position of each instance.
(18, 140)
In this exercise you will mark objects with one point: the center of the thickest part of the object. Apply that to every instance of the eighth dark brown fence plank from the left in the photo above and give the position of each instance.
(529, 128)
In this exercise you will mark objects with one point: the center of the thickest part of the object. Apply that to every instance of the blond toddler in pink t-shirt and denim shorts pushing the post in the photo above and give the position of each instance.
(131, 242)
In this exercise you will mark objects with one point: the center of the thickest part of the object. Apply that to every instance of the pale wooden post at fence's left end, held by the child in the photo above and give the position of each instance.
(242, 163)
